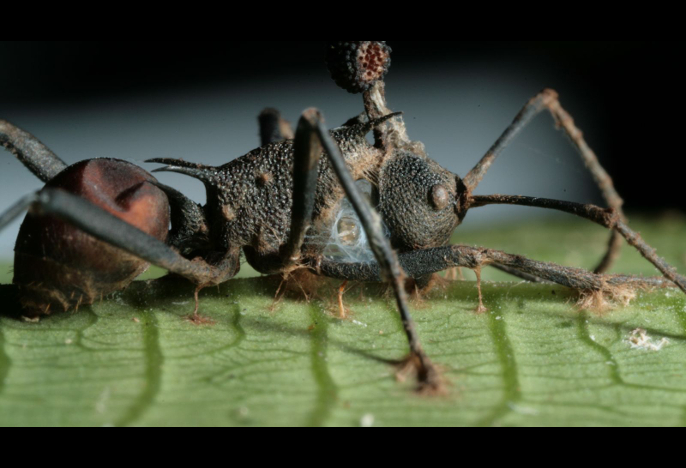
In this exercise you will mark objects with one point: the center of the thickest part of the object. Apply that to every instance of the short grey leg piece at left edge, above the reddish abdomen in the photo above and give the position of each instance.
(42, 162)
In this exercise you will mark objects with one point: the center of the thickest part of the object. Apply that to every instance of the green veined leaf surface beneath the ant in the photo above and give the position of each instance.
(534, 359)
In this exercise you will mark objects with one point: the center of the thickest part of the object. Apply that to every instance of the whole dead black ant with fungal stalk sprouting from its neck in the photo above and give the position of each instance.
(98, 224)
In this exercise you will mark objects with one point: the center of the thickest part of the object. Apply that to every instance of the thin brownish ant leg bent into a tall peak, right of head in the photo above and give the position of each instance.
(549, 100)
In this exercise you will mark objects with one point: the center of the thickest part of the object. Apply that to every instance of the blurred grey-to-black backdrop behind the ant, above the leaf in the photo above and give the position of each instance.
(199, 101)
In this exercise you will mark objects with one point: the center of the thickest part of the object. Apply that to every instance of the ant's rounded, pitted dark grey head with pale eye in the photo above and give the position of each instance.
(420, 202)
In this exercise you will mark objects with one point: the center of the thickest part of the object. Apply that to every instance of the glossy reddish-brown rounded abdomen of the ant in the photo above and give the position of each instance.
(59, 267)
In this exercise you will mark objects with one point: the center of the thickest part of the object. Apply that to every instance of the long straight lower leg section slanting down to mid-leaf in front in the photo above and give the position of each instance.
(386, 257)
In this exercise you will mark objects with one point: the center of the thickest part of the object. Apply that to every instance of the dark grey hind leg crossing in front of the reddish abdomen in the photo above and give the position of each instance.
(112, 230)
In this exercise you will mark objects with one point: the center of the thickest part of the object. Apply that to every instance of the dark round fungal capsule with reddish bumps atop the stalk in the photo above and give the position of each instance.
(356, 65)
